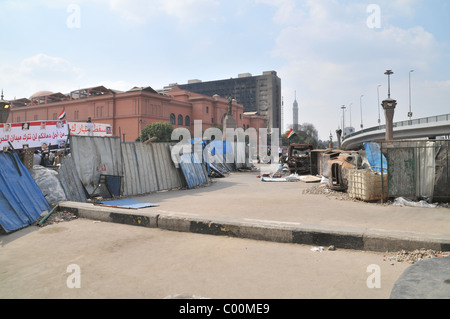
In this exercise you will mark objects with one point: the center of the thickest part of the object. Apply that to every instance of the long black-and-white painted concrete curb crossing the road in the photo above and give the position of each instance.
(283, 232)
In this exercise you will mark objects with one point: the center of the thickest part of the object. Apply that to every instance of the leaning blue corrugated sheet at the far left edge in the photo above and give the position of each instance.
(21, 200)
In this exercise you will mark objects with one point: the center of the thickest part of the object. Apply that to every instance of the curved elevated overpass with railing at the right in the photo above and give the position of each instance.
(427, 127)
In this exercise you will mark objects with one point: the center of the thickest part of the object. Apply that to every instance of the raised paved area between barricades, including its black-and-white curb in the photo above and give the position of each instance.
(240, 205)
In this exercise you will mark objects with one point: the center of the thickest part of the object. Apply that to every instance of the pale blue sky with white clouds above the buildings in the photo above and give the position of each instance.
(328, 53)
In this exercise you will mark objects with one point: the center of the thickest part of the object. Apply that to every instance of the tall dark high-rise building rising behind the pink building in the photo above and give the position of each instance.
(259, 95)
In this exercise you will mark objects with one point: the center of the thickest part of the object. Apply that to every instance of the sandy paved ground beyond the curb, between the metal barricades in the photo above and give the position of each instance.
(243, 195)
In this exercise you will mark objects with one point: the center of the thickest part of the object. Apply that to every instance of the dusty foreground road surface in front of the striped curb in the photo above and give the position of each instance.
(122, 261)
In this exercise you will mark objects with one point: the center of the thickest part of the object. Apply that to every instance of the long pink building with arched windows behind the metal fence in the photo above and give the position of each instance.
(128, 112)
